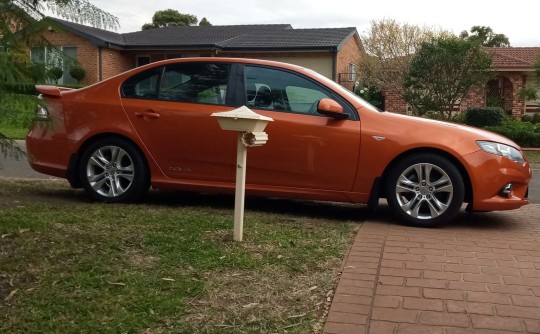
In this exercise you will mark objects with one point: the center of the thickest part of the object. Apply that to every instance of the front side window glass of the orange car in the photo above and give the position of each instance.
(273, 89)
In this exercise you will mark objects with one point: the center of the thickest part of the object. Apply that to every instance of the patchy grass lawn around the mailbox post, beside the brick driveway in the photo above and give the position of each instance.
(168, 265)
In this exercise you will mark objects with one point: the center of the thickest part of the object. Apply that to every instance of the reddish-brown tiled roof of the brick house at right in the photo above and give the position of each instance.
(517, 58)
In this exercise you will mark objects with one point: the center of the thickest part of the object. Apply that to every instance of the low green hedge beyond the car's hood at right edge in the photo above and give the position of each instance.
(524, 134)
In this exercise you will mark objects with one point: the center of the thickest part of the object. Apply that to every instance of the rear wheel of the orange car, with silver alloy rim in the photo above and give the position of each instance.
(113, 170)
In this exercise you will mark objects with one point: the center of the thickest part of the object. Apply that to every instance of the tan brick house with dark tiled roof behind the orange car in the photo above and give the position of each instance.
(333, 52)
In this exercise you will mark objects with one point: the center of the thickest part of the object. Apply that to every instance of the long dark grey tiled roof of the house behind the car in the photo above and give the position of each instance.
(228, 37)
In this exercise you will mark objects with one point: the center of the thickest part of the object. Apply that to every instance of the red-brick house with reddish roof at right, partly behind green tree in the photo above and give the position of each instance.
(514, 70)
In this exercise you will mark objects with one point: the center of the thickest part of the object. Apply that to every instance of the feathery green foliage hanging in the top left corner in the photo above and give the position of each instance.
(17, 71)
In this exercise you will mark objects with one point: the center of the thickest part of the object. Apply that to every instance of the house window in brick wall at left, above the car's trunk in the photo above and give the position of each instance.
(64, 57)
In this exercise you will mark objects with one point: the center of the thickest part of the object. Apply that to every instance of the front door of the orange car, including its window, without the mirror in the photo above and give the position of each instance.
(304, 149)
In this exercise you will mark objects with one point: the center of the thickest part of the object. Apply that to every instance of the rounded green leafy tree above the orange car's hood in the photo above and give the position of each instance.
(443, 72)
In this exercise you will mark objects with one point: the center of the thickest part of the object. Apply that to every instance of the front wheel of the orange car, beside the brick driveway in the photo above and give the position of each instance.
(425, 190)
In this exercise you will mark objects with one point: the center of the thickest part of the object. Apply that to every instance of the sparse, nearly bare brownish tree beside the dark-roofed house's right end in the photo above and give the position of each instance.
(389, 48)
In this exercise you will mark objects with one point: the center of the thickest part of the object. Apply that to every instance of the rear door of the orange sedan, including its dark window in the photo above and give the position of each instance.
(170, 108)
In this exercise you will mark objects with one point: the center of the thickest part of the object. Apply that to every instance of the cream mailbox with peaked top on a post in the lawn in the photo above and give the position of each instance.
(250, 127)
